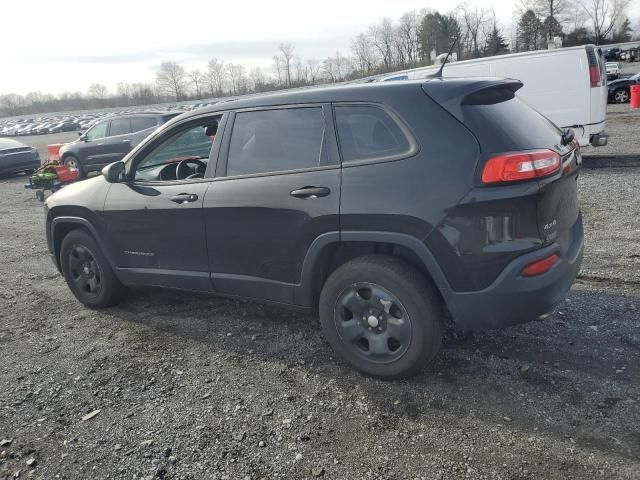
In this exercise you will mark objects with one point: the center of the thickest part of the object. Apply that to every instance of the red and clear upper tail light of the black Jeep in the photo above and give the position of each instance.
(518, 166)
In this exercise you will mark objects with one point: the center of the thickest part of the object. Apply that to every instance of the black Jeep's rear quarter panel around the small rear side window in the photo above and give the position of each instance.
(410, 195)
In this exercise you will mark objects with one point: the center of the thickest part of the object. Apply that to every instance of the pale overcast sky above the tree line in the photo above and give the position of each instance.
(61, 45)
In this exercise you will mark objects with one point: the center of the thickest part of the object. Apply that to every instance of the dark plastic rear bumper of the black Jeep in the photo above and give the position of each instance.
(514, 299)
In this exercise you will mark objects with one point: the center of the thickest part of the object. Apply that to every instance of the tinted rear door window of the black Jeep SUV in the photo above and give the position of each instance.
(268, 141)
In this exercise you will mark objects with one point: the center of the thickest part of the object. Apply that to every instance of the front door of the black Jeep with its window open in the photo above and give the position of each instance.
(156, 217)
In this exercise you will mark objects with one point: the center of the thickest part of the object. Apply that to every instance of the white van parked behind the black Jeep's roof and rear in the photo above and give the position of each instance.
(567, 85)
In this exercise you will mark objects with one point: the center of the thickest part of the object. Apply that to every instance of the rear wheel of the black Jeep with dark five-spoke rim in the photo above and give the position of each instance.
(381, 316)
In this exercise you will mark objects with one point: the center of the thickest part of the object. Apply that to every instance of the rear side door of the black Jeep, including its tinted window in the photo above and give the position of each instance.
(277, 189)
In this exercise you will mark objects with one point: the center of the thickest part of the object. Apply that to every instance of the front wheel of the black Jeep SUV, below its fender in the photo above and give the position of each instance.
(87, 271)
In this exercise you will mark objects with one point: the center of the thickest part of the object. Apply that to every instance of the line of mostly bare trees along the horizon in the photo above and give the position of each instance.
(414, 40)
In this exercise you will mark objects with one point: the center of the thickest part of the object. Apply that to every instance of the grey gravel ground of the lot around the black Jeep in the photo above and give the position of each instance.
(197, 387)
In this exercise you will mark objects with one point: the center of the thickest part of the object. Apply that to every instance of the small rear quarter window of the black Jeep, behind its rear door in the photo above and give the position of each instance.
(368, 132)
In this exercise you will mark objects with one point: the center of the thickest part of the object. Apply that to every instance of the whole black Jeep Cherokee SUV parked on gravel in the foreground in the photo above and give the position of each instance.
(385, 206)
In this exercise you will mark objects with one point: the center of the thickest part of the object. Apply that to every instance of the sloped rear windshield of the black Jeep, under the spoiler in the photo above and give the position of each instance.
(502, 122)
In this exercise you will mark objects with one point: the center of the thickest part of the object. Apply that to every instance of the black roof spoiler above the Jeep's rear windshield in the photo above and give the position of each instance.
(452, 93)
